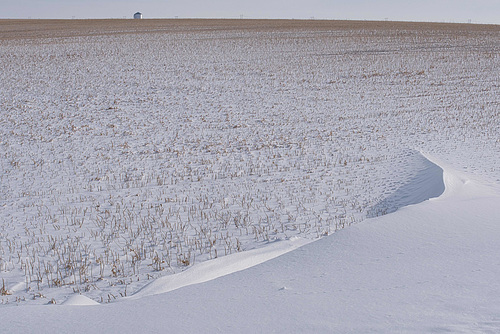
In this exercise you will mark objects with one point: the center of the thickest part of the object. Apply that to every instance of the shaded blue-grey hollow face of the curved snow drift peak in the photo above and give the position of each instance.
(427, 183)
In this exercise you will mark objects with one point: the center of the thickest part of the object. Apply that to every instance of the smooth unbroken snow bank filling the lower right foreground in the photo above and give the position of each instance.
(430, 267)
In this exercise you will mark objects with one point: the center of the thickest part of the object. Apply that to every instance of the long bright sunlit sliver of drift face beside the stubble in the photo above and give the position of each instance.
(222, 266)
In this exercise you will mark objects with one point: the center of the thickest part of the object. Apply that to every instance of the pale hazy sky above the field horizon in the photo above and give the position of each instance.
(478, 11)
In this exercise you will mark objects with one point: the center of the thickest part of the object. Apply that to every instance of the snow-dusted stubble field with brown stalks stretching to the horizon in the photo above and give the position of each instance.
(134, 149)
